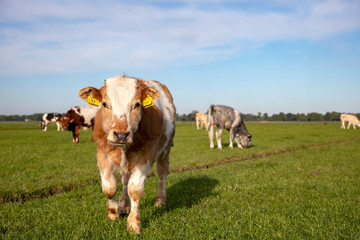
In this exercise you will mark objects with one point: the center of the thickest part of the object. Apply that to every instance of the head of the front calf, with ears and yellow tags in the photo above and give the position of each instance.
(122, 102)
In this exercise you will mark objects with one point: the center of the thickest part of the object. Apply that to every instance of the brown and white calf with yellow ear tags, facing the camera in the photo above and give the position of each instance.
(134, 128)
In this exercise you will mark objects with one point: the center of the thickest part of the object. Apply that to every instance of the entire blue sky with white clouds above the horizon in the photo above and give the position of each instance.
(254, 55)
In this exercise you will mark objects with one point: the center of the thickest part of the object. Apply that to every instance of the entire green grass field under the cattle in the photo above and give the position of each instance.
(297, 181)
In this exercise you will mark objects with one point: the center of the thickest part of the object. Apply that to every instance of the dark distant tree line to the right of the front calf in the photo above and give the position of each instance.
(298, 117)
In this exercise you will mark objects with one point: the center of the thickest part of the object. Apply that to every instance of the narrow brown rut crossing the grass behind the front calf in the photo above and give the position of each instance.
(46, 193)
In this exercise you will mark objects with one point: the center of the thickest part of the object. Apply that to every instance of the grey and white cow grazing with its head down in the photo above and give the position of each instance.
(230, 119)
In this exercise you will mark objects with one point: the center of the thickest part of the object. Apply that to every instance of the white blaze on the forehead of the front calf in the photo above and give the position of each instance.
(121, 91)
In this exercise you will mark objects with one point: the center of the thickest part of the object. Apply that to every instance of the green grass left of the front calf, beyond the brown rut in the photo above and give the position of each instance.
(33, 161)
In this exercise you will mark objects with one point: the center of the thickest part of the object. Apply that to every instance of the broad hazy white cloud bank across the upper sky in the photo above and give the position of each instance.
(55, 37)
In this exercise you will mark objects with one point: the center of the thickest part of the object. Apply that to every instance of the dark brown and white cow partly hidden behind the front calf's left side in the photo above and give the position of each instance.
(77, 117)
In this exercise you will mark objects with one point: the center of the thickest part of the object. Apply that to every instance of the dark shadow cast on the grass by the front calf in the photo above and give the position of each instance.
(185, 194)
